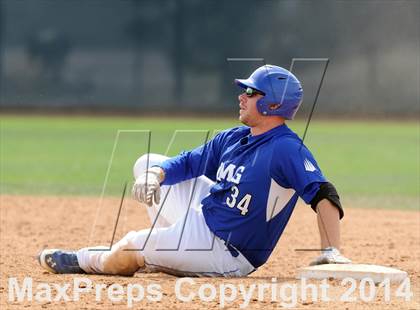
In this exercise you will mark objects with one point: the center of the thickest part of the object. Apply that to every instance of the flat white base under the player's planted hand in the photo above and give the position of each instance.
(356, 271)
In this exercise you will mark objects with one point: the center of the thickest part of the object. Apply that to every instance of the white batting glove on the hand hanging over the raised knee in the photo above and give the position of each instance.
(146, 189)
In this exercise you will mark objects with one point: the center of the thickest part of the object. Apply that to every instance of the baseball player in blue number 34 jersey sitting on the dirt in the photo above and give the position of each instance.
(219, 210)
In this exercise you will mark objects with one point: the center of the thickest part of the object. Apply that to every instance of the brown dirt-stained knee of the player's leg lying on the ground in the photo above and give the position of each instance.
(123, 259)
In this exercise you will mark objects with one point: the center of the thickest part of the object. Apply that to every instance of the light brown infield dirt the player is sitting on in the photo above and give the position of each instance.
(29, 224)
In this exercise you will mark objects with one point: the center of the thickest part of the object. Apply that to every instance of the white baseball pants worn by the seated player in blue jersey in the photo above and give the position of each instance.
(179, 241)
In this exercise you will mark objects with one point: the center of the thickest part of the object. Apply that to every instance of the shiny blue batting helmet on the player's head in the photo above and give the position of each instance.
(282, 90)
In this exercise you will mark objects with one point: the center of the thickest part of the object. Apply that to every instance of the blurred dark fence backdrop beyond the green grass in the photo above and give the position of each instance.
(154, 56)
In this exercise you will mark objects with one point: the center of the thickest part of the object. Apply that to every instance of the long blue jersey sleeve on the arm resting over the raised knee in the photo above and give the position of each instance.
(203, 160)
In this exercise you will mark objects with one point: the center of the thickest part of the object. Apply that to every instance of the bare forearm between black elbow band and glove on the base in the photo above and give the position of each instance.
(328, 224)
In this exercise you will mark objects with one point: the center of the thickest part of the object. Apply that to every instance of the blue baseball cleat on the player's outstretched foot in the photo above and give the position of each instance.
(58, 261)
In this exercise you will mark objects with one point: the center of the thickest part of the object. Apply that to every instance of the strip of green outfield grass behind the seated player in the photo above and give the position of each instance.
(371, 163)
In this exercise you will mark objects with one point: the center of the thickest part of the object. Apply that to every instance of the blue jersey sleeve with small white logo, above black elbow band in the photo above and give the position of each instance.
(293, 166)
